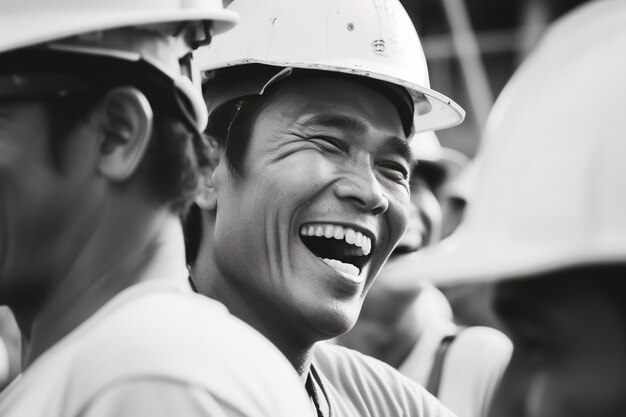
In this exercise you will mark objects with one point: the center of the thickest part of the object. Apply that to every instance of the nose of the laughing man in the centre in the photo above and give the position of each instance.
(360, 186)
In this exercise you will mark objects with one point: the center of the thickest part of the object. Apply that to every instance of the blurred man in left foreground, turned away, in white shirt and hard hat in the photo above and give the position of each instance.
(100, 132)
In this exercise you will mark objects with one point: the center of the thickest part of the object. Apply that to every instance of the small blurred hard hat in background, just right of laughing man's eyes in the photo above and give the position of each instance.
(429, 153)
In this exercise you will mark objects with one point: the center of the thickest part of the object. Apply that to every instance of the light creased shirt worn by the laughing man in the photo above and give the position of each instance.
(350, 384)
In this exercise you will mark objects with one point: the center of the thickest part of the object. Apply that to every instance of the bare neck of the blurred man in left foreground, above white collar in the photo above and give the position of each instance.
(117, 256)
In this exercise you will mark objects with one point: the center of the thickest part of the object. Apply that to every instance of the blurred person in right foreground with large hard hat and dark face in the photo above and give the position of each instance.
(547, 224)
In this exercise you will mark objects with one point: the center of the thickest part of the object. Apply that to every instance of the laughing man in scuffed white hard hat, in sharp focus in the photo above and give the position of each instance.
(308, 192)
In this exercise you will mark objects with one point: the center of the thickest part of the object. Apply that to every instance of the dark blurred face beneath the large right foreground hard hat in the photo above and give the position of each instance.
(570, 351)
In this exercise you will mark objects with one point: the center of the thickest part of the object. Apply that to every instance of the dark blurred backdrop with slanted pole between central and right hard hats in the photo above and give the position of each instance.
(473, 47)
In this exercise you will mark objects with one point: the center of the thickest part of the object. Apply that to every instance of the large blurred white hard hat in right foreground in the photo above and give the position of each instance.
(551, 191)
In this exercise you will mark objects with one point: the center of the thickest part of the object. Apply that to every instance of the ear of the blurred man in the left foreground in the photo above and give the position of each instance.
(126, 127)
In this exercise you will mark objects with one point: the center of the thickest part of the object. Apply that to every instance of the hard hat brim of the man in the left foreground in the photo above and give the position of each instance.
(50, 26)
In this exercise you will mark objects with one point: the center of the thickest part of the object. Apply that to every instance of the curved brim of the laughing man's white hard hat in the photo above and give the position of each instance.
(444, 111)
